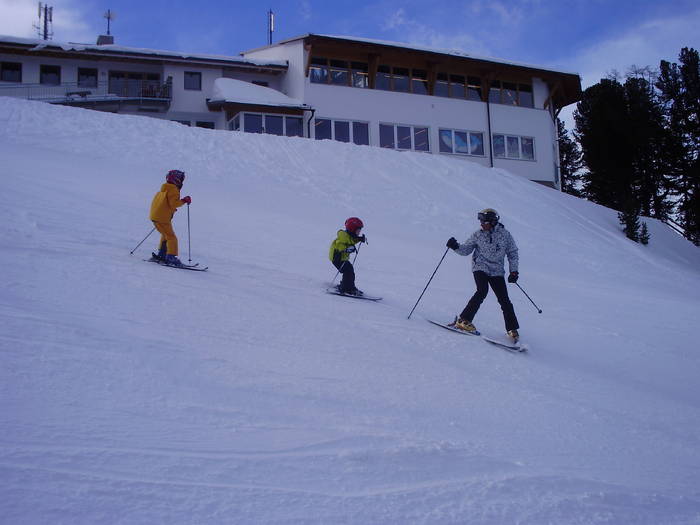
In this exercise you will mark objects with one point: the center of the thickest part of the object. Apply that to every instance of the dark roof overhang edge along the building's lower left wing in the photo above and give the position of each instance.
(139, 57)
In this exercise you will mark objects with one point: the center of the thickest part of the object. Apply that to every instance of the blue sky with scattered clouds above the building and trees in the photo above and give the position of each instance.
(590, 37)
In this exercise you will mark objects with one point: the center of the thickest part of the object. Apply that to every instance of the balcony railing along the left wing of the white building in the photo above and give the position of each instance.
(116, 90)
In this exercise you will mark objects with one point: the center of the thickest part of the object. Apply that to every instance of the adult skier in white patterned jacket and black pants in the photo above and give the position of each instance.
(489, 246)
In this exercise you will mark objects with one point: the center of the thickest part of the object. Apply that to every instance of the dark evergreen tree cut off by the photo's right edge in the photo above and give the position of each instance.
(679, 85)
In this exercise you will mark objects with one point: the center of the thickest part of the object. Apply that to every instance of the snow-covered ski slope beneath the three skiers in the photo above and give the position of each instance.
(138, 394)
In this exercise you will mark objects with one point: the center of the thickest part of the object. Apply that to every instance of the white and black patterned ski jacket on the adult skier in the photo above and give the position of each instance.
(490, 248)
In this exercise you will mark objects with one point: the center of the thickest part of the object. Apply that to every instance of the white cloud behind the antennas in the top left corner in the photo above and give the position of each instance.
(18, 17)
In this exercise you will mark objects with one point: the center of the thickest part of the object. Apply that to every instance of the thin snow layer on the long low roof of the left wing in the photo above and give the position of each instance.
(111, 48)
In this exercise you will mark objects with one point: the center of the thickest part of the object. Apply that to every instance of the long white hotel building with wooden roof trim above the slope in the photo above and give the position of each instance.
(369, 92)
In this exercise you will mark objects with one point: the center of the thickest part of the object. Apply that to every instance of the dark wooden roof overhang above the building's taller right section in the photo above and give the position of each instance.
(564, 88)
